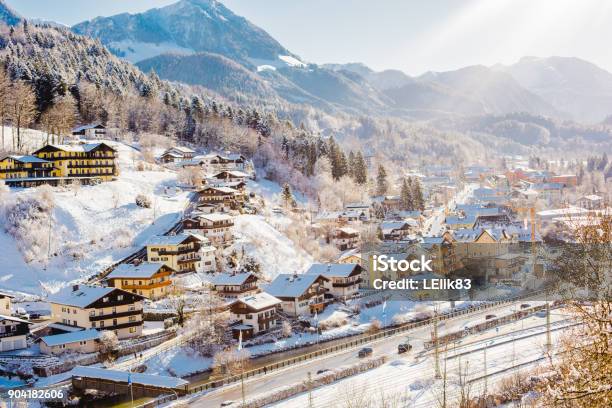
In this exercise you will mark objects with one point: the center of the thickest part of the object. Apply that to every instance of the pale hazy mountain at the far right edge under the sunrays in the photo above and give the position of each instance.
(572, 85)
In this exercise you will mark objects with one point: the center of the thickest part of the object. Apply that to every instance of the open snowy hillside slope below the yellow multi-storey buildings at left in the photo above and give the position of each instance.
(93, 226)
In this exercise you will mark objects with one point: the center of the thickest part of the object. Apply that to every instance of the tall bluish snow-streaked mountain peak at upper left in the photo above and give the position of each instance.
(186, 27)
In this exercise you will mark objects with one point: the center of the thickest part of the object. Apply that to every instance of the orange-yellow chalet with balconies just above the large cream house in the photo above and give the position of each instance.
(151, 280)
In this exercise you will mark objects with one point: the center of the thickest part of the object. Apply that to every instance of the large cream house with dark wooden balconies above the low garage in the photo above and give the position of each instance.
(97, 307)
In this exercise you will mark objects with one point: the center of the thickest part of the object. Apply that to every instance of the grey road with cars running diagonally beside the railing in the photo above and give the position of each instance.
(299, 372)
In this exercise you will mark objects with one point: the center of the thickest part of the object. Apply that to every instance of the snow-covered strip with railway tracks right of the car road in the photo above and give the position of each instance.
(409, 379)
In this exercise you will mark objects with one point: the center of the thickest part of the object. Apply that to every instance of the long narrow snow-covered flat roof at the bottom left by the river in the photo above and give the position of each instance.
(160, 381)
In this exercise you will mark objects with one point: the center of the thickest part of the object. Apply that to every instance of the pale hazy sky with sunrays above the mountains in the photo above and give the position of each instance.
(411, 35)
